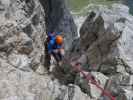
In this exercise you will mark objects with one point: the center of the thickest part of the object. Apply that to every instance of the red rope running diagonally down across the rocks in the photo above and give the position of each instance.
(93, 81)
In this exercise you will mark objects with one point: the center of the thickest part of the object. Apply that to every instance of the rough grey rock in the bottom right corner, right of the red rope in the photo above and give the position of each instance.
(120, 85)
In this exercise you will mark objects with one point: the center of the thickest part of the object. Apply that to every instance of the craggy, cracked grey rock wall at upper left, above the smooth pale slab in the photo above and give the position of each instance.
(22, 33)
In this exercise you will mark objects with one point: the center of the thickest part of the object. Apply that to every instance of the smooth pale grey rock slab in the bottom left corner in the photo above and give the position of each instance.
(17, 84)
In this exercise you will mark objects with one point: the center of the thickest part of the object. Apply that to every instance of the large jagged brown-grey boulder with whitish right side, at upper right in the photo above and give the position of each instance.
(105, 35)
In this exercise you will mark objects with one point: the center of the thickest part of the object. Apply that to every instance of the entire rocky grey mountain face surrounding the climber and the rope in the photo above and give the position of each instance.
(104, 49)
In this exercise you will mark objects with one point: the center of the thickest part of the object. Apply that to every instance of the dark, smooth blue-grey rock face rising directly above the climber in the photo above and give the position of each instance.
(59, 19)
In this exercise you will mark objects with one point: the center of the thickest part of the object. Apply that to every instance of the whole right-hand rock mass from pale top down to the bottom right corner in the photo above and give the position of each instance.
(107, 38)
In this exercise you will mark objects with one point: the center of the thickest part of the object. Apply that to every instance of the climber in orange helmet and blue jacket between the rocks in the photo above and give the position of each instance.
(55, 46)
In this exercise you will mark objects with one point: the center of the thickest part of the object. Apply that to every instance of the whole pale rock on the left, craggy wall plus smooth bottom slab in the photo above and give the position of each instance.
(22, 51)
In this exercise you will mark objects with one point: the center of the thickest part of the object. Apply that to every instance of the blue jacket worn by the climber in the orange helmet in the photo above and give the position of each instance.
(52, 45)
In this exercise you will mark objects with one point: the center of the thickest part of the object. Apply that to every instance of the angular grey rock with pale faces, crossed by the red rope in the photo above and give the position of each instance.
(88, 87)
